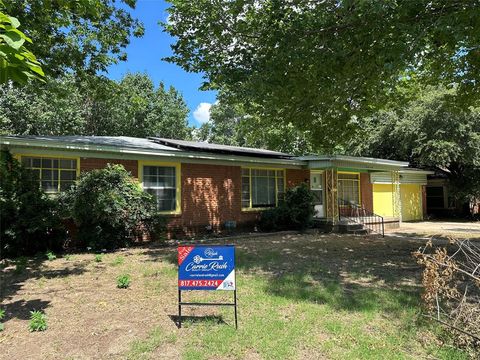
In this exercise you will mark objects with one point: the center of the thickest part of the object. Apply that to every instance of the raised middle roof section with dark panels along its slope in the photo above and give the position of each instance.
(216, 148)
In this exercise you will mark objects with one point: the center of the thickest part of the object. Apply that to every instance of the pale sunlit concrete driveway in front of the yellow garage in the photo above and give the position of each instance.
(460, 229)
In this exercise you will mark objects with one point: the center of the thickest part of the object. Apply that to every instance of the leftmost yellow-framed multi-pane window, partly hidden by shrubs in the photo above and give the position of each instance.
(53, 174)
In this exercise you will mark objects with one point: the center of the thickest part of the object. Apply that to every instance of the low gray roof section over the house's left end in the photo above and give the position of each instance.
(116, 141)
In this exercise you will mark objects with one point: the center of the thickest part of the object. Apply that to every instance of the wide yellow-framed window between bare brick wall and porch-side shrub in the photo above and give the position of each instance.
(262, 187)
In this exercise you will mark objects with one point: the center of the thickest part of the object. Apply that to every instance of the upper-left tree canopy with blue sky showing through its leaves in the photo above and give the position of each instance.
(83, 36)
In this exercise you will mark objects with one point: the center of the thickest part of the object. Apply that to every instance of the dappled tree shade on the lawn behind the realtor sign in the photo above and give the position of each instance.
(347, 273)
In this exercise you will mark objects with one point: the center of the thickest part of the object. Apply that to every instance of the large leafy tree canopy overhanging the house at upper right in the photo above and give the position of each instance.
(320, 65)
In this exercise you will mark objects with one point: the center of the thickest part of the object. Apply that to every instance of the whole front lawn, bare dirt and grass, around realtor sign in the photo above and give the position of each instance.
(305, 296)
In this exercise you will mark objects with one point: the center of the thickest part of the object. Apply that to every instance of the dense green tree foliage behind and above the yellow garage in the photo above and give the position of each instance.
(429, 132)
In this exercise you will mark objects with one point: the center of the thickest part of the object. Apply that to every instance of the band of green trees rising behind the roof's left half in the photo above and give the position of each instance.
(94, 106)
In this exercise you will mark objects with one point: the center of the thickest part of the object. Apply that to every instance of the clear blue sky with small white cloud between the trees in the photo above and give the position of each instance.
(145, 55)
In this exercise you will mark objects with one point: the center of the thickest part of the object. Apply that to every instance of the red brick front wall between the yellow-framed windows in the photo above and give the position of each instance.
(211, 194)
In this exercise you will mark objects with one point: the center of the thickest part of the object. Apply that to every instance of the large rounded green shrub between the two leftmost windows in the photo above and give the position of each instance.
(109, 207)
